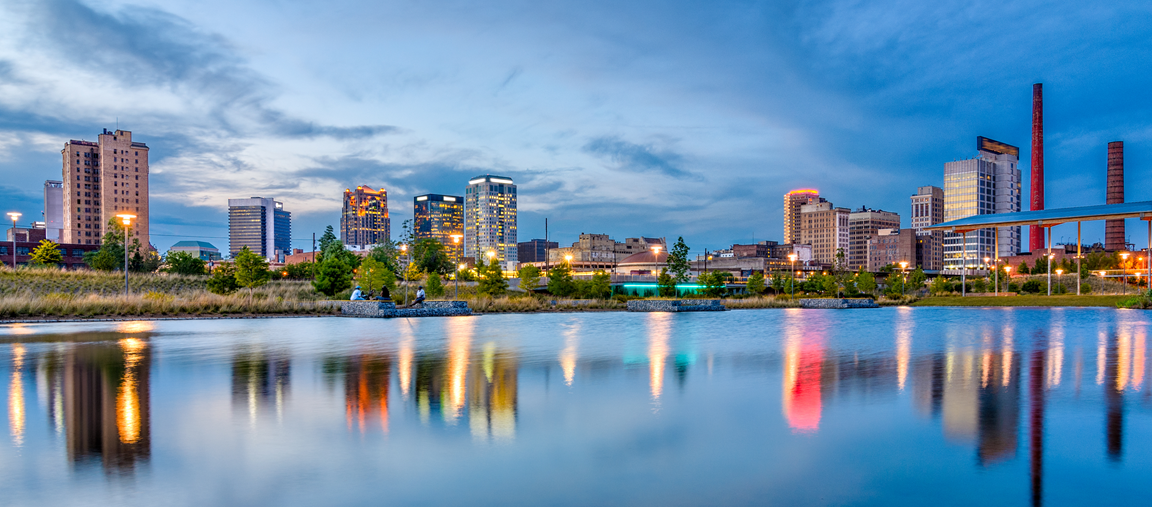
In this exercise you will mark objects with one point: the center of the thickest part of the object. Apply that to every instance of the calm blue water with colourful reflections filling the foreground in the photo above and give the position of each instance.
(762, 407)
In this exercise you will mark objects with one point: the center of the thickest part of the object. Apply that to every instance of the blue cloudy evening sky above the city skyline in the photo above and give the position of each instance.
(623, 118)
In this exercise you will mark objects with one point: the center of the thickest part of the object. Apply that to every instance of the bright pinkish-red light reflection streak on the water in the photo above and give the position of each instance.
(802, 375)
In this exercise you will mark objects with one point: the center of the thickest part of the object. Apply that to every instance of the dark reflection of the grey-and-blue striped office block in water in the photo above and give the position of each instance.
(260, 381)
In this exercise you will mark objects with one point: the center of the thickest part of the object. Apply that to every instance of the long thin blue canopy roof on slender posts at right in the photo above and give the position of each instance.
(1048, 218)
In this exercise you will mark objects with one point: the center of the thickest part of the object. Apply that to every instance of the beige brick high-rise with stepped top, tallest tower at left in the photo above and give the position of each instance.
(102, 180)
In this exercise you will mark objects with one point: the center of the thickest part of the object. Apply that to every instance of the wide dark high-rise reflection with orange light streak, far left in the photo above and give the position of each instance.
(101, 397)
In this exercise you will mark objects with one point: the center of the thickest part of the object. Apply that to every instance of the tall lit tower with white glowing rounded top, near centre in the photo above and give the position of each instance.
(490, 220)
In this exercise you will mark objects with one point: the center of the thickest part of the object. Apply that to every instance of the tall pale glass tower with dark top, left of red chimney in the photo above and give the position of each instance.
(989, 184)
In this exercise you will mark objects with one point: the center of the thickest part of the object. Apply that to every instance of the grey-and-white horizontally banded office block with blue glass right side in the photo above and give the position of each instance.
(262, 225)
